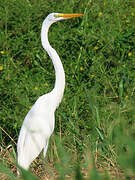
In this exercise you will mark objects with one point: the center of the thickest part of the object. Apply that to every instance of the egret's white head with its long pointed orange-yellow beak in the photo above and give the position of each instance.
(54, 17)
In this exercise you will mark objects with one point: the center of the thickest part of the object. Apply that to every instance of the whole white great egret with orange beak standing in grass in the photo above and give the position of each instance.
(39, 123)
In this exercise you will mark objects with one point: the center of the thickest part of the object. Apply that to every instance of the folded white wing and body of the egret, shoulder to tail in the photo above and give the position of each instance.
(35, 132)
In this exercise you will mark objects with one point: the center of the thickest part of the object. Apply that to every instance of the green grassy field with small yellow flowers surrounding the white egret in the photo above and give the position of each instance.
(94, 134)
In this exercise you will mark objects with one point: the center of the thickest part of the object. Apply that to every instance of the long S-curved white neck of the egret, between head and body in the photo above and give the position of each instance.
(59, 70)
